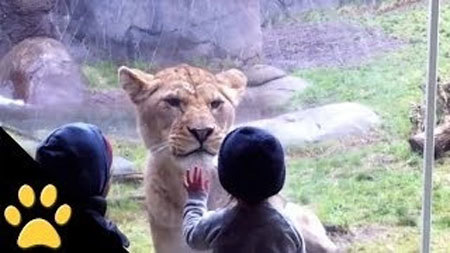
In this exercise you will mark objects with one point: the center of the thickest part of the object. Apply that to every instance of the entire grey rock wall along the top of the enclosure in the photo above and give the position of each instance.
(148, 30)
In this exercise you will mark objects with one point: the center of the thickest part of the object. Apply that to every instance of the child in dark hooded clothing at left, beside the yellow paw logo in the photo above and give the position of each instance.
(78, 158)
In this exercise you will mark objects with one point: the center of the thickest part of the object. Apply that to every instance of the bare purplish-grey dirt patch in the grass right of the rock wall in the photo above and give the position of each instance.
(296, 46)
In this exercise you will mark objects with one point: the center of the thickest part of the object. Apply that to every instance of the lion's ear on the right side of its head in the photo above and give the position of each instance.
(233, 84)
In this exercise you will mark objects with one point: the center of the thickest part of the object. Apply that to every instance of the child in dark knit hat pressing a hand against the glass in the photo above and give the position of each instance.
(251, 169)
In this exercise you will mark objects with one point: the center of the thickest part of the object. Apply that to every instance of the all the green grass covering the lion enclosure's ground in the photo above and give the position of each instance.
(373, 184)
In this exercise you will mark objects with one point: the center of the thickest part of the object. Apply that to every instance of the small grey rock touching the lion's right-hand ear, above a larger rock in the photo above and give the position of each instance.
(260, 74)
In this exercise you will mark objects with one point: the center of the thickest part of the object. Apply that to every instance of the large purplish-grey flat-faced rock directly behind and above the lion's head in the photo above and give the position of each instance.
(176, 30)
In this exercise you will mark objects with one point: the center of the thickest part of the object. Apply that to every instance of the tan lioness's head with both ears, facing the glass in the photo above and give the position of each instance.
(184, 110)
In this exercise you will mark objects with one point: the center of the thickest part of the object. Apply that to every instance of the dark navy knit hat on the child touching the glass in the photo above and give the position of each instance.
(251, 164)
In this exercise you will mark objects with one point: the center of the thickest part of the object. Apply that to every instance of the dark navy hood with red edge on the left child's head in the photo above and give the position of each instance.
(78, 156)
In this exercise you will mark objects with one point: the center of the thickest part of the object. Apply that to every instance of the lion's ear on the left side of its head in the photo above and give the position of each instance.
(138, 84)
